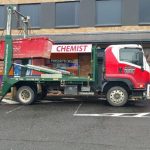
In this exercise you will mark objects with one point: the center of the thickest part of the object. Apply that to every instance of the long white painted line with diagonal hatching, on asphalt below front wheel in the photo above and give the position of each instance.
(127, 115)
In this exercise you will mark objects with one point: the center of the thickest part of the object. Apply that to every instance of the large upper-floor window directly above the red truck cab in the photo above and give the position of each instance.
(108, 12)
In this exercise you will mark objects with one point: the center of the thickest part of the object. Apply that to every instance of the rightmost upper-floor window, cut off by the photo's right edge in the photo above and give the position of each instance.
(144, 12)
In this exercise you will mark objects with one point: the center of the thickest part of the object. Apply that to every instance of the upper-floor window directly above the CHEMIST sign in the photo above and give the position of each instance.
(67, 14)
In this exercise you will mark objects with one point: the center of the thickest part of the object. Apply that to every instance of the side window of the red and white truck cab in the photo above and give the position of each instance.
(130, 55)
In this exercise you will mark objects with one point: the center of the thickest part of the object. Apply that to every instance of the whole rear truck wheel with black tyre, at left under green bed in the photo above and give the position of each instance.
(25, 95)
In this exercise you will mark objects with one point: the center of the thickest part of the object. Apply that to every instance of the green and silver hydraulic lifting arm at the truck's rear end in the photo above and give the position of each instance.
(7, 82)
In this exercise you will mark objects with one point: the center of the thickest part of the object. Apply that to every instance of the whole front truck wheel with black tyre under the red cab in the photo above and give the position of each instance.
(117, 96)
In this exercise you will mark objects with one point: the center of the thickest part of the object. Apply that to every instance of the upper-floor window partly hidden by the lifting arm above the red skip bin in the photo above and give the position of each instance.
(34, 11)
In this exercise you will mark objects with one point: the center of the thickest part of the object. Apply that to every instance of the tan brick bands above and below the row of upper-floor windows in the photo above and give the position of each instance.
(73, 30)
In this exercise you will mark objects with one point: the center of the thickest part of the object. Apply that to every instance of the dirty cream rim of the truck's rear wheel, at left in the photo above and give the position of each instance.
(25, 95)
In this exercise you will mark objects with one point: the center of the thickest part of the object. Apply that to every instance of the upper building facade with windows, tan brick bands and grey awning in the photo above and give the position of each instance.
(101, 22)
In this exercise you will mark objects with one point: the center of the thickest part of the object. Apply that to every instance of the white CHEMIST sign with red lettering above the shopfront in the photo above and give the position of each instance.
(74, 48)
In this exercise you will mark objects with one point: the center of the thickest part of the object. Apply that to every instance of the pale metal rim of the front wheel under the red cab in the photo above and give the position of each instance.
(117, 96)
